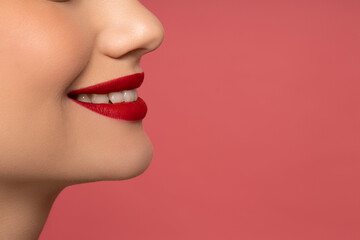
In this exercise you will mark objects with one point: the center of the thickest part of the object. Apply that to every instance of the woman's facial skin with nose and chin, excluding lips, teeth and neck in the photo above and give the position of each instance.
(50, 47)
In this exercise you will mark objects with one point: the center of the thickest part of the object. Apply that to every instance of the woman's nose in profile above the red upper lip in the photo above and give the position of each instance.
(127, 26)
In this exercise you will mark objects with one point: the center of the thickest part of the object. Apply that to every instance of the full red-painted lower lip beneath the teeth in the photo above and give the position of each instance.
(129, 111)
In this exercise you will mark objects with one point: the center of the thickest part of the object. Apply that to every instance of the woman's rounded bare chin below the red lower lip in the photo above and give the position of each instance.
(110, 163)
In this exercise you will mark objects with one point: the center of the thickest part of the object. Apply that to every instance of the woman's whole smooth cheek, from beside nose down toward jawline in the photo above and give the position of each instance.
(42, 49)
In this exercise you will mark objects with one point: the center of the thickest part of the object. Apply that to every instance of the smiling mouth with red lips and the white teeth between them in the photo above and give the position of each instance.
(116, 98)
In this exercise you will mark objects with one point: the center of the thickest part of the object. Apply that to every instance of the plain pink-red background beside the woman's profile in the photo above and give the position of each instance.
(255, 120)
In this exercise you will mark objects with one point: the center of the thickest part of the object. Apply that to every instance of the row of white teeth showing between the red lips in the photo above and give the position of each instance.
(114, 97)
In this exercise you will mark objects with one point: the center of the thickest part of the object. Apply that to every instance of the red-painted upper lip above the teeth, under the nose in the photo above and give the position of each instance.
(114, 85)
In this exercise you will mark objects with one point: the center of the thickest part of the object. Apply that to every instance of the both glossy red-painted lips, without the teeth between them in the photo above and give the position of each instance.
(130, 111)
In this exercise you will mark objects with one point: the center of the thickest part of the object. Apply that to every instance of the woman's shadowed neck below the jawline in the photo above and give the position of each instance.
(24, 208)
